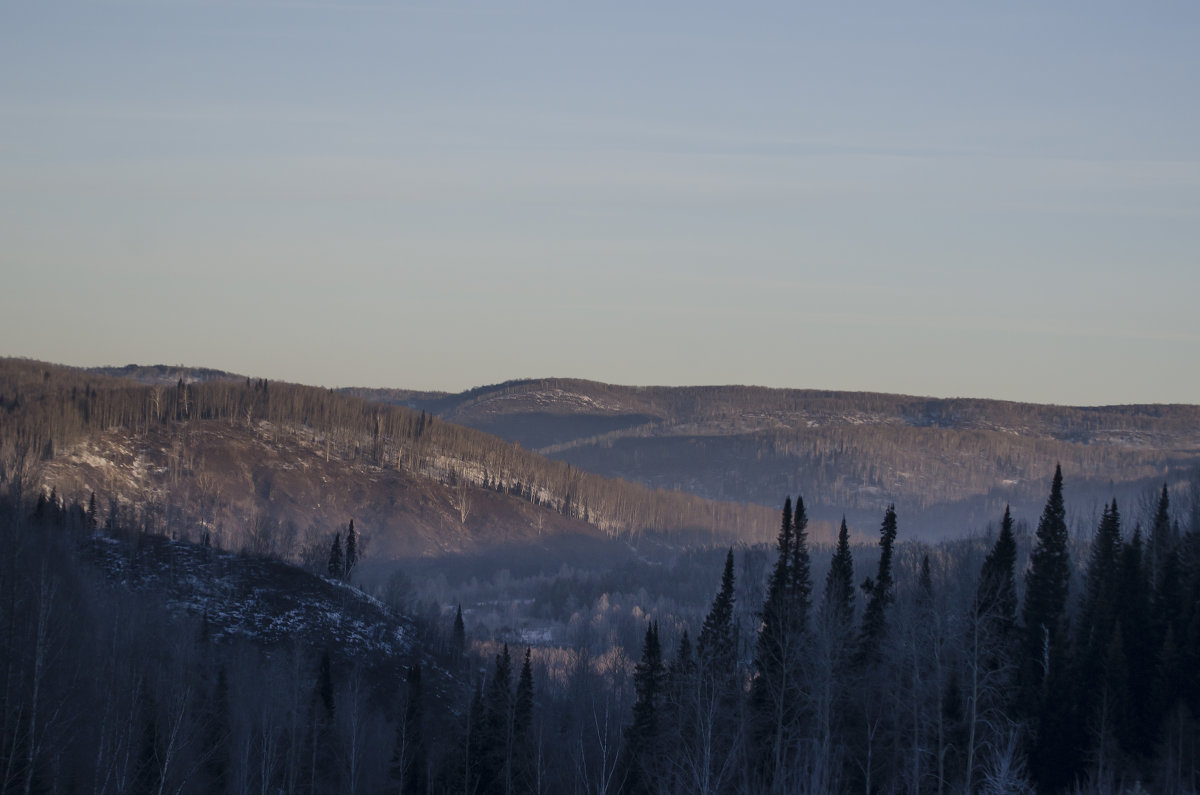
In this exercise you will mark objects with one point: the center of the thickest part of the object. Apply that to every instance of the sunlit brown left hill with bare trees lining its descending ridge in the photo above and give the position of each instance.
(278, 469)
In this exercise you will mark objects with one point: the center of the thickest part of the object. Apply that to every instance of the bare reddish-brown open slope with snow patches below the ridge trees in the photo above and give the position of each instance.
(255, 488)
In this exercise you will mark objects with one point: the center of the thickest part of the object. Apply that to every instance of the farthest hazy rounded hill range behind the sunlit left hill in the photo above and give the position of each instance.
(950, 465)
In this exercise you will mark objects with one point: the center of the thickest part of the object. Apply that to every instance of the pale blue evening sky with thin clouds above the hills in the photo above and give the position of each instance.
(933, 199)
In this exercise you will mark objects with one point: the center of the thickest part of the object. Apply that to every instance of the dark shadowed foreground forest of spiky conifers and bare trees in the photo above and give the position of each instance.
(935, 672)
